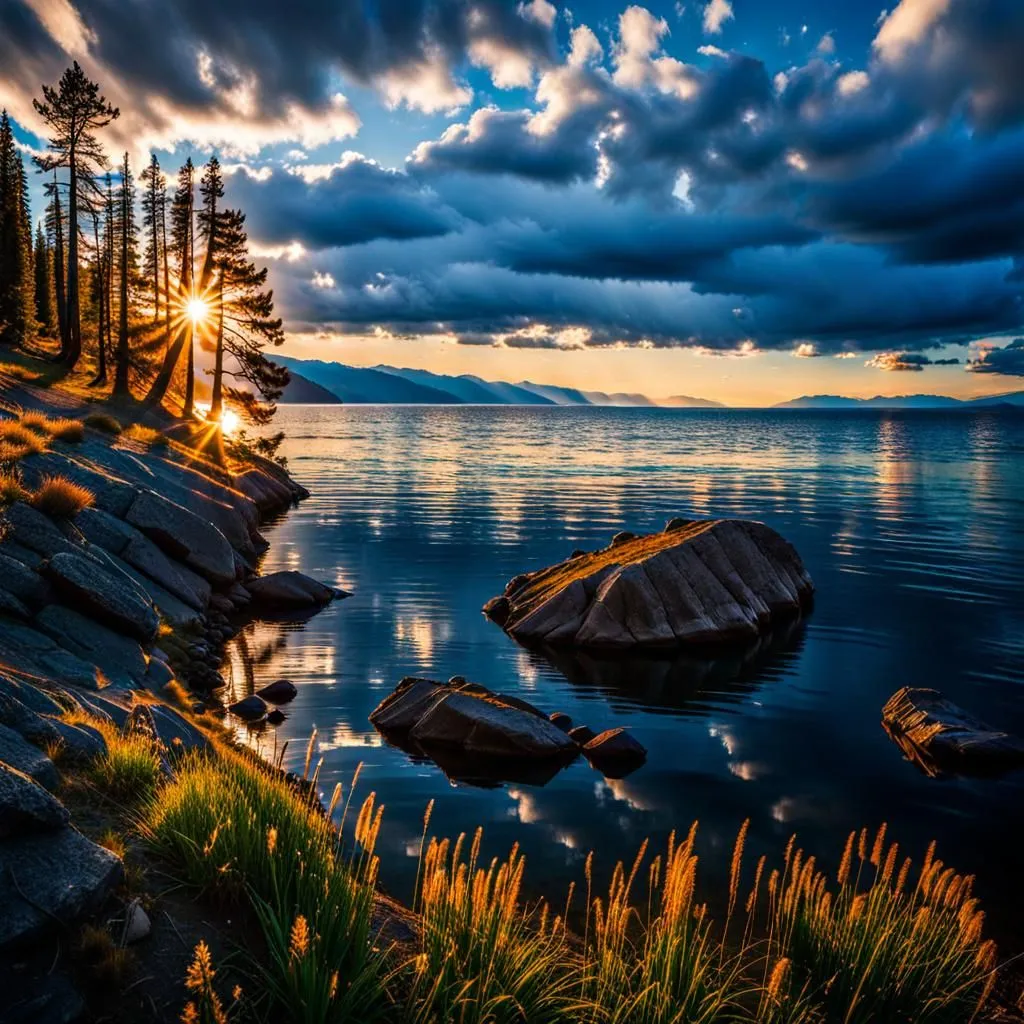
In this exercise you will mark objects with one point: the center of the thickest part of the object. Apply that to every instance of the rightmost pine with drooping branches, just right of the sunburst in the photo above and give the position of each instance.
(246, 327)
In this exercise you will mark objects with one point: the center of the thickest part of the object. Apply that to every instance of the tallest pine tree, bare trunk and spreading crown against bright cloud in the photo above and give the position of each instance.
(74, 111)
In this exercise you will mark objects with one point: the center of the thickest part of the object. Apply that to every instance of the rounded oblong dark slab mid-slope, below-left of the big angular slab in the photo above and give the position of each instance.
(114, 601)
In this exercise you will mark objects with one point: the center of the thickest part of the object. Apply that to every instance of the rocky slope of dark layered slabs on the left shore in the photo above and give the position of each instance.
(166, 552)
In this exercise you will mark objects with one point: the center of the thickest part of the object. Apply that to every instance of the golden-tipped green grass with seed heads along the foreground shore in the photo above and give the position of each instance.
(875, 942)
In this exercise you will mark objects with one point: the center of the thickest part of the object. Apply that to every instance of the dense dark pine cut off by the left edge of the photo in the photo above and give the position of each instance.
(17, 314)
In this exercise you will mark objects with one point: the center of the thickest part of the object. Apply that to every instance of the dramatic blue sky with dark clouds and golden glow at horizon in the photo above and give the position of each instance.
(739, 200)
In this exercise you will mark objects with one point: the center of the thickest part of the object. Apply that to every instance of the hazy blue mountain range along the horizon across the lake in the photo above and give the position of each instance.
(320, 382)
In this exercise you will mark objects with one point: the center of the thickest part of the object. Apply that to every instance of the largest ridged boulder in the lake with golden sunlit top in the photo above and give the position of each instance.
(698, 582)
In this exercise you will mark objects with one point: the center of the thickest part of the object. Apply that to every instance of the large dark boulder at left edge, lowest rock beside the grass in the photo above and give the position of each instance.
(51, 880)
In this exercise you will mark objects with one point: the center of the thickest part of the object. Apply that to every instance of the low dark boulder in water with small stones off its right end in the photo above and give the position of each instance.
(472, 718)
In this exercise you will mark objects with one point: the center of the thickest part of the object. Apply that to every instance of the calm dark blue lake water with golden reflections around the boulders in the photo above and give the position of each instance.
(911, 524)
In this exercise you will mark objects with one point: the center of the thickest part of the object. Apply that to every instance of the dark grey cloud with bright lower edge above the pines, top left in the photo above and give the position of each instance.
(245, 74)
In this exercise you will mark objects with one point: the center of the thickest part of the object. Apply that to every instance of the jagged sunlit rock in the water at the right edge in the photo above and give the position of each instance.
(940, 737)
